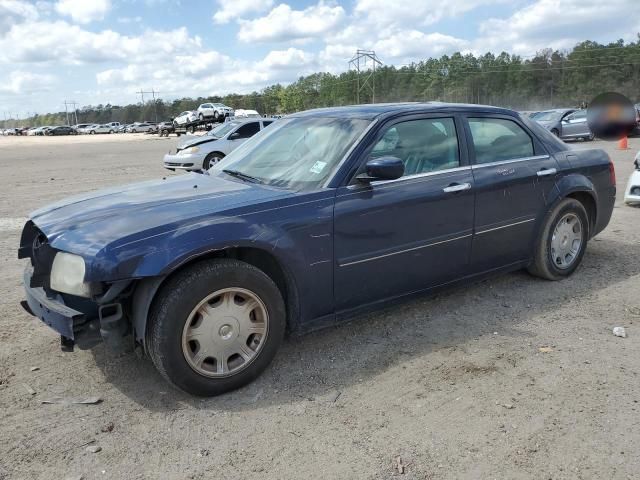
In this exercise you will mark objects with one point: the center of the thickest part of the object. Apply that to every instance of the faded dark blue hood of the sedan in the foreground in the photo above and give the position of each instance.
(88, 223)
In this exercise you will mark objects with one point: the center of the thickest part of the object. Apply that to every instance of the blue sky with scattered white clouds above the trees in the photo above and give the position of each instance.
(104, 51)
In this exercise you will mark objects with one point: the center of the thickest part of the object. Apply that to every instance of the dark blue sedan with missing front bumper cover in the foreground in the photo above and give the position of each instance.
(323, 215)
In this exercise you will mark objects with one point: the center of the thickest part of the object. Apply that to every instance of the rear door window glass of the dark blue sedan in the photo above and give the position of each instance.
(496, 139)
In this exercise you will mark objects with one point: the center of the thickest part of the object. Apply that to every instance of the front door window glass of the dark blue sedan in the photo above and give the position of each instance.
(426, 145)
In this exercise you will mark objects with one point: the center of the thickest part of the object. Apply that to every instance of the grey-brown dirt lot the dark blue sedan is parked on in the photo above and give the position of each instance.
(455, 385)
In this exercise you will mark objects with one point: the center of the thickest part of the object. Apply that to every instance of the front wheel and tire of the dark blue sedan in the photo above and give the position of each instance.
(173, 319)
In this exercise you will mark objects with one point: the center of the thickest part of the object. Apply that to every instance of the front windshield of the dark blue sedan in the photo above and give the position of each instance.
(295, 153)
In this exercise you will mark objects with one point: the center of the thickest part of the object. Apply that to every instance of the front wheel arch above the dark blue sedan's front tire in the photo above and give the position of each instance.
(147, 289)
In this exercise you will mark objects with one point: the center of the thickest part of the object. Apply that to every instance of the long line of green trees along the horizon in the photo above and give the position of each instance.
(548, 79)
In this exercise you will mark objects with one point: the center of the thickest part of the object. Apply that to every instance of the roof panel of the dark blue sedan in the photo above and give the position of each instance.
(379, 110)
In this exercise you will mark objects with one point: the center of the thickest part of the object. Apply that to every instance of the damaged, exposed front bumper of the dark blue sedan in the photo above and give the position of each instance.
(85, 326)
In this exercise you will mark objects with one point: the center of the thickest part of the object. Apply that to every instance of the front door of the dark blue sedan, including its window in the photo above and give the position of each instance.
(400, 236)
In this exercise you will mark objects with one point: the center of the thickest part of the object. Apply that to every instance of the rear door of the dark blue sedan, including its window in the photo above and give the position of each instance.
(513, 177)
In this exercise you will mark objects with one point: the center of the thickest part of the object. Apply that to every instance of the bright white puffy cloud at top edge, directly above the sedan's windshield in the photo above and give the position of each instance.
(285, 24)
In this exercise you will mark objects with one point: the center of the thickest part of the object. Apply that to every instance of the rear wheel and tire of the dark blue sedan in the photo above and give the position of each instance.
(551, 263)
